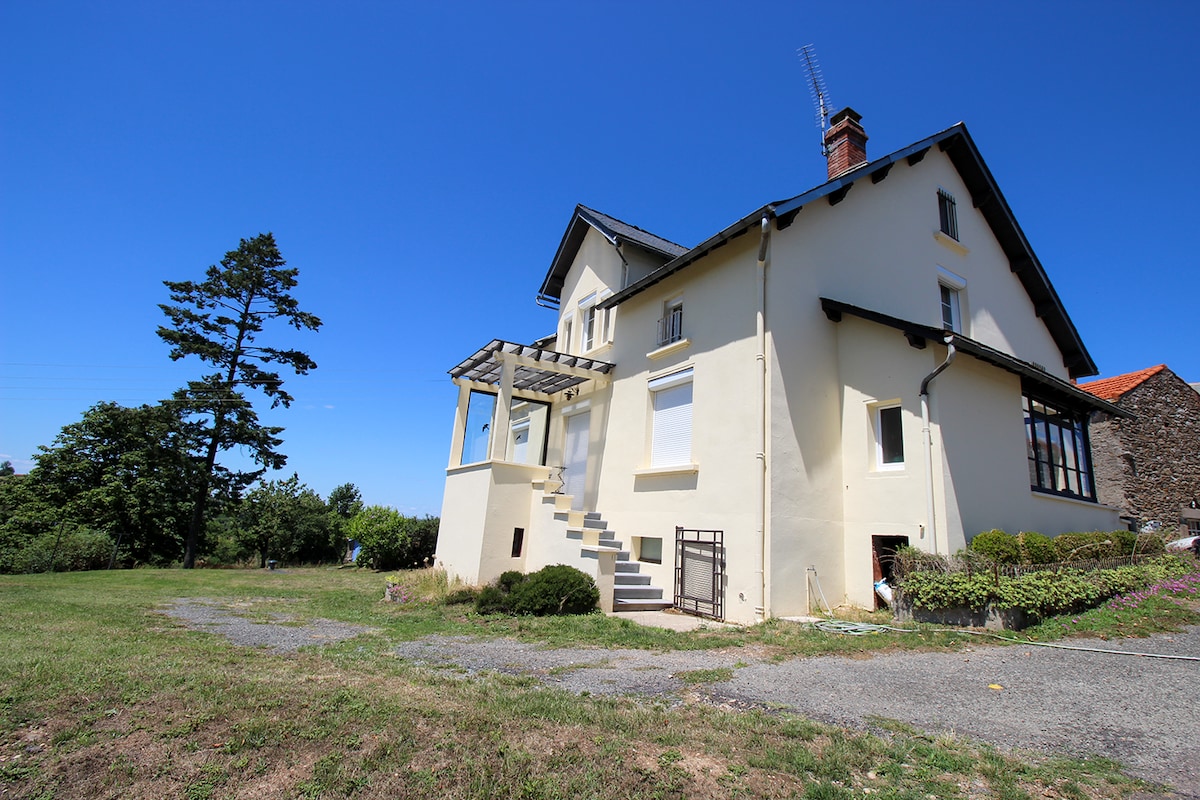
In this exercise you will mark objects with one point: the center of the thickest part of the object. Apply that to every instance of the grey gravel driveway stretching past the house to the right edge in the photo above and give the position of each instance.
(1142, 712)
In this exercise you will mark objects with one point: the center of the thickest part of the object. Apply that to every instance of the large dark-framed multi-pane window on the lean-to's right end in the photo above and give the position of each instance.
(1058, 449)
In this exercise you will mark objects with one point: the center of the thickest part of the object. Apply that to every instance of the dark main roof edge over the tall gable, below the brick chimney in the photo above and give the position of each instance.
(986, 196)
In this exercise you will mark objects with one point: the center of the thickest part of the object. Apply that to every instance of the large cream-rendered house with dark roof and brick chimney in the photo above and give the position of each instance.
(749, 428)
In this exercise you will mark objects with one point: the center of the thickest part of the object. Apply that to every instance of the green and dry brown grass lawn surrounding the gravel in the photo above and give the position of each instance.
(104, 696)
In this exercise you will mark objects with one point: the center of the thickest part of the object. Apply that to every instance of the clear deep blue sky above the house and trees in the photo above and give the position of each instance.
(419, 163)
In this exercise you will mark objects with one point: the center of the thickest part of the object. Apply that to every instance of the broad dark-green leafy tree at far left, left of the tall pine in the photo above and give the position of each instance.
(124, 472)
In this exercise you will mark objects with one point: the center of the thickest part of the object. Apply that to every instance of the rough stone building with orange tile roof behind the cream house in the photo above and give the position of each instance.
(1148, 465)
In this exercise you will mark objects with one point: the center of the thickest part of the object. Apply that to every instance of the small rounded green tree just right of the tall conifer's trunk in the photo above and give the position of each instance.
(289, 522)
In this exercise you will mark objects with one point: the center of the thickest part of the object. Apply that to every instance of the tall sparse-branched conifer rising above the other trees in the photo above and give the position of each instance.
(219, 322)
